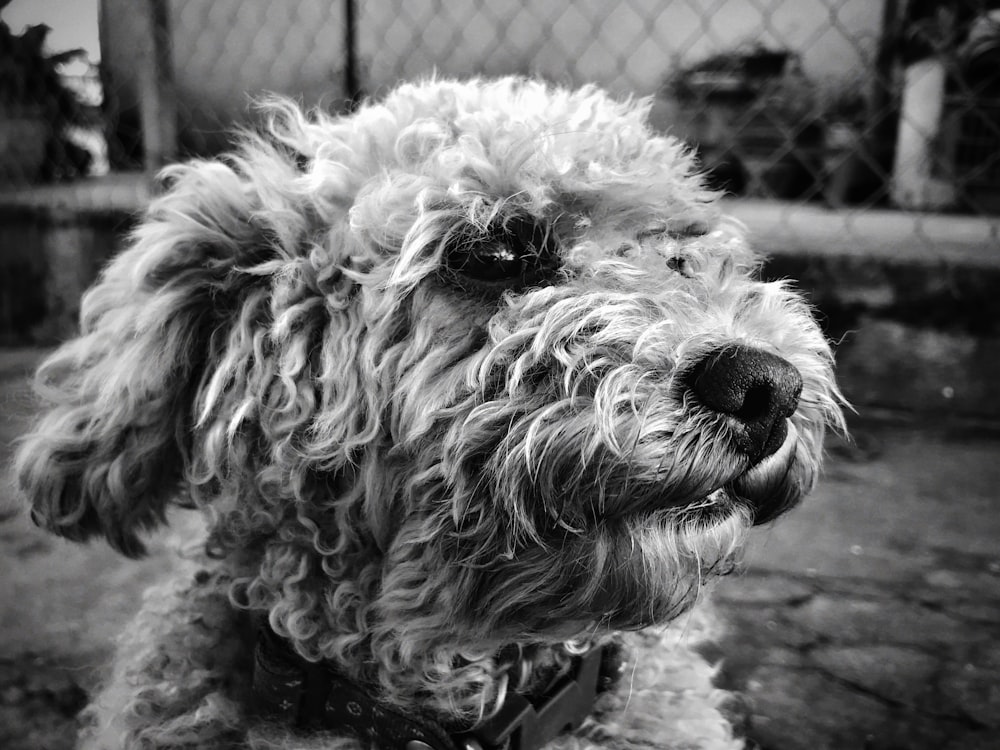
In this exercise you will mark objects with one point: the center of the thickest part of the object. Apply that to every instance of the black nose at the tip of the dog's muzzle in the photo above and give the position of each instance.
(758, 389)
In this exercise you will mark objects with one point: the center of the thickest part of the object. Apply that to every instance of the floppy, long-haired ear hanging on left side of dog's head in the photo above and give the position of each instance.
(107, 454)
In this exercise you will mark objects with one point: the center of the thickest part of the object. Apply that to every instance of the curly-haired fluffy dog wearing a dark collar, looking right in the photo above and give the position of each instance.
(476, 389)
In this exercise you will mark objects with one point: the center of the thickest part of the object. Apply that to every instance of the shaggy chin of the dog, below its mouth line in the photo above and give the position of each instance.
(624, 574)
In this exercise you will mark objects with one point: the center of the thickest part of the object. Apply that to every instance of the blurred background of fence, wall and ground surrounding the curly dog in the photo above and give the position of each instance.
(859, 140)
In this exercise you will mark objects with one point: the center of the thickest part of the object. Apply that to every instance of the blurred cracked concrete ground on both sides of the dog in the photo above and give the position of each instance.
(868, 618)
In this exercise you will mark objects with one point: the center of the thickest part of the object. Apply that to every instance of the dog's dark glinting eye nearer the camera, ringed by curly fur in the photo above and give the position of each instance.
(517, 254)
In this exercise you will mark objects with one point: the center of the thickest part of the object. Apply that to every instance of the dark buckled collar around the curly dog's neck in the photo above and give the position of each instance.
(308, 695)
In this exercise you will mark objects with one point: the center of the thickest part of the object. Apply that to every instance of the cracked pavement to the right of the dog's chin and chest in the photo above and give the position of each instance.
(869, 617)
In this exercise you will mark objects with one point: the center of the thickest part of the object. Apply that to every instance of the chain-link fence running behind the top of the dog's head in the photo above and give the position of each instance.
(847, 104)
